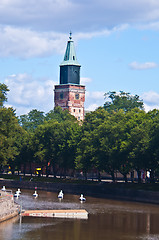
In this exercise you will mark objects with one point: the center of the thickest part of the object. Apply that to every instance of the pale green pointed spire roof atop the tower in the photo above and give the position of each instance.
(70, 54)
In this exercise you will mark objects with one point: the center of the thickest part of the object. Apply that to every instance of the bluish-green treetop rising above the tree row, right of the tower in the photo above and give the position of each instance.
(122, 100)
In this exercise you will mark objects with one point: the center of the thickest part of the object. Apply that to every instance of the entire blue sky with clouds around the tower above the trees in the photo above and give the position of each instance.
(116, 44)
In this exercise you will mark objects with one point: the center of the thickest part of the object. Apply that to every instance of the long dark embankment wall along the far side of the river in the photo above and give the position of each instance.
(102, 190)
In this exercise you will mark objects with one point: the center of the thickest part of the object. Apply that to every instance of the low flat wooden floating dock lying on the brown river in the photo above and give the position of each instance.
(69, 213)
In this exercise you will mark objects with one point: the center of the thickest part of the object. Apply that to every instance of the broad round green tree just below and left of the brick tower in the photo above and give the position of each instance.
(55, 143)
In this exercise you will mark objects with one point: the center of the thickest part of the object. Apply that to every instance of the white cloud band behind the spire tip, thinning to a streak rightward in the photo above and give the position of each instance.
(26, 43)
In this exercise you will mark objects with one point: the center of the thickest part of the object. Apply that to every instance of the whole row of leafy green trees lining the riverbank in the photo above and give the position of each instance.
(121, 137)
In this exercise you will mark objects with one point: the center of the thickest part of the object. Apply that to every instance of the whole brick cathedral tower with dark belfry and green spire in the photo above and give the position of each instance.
(69, 94)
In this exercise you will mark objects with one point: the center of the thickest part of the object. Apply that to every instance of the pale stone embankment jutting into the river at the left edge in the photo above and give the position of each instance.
(8, 208)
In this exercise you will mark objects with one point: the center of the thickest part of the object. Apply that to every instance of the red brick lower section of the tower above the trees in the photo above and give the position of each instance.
(71, 97)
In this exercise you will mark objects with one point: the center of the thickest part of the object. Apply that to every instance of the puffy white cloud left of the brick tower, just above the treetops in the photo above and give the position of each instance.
(27, 93)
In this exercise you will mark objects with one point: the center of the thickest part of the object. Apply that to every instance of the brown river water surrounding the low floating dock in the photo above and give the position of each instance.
(107, 220)
